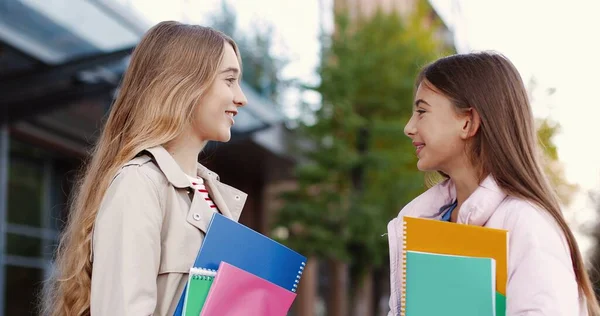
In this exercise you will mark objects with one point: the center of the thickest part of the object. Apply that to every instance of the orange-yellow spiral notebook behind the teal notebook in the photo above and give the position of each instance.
(435, 236)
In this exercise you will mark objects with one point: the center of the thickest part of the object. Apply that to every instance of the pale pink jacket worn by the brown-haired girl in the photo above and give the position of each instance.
(541, 280)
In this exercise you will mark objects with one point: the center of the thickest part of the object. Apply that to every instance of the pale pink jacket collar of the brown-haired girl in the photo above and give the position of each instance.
(476, 210)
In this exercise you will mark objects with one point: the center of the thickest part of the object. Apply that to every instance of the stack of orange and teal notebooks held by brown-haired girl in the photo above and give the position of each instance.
(453, 269)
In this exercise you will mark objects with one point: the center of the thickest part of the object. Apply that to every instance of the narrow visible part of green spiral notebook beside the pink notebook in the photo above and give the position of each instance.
(199, 283)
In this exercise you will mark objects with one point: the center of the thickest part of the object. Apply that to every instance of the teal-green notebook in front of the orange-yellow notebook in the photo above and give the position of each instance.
(449, 285)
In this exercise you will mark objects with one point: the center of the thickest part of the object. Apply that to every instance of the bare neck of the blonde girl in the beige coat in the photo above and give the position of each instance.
(185, 151)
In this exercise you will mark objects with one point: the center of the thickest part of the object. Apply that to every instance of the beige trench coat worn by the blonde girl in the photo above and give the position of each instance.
(148, 232)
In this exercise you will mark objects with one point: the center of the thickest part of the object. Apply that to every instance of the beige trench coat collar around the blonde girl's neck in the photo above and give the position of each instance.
(229, 200)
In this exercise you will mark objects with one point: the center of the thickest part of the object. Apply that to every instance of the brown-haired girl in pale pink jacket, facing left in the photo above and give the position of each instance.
(473, 124)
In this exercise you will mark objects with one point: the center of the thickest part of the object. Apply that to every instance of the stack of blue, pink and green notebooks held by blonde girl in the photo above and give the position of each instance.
(239, 271)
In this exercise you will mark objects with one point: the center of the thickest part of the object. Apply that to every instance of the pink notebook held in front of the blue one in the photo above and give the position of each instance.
(235, 292)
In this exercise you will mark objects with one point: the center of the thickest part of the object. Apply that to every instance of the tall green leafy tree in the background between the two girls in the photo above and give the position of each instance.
(360, 168)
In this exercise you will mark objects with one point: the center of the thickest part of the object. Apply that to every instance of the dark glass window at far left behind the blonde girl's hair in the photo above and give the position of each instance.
(38, 185)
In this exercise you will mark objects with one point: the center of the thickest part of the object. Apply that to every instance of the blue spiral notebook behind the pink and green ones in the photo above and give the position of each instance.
(229, 241)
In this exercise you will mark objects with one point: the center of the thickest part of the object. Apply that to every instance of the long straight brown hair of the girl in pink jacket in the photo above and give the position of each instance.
(505, 145)
